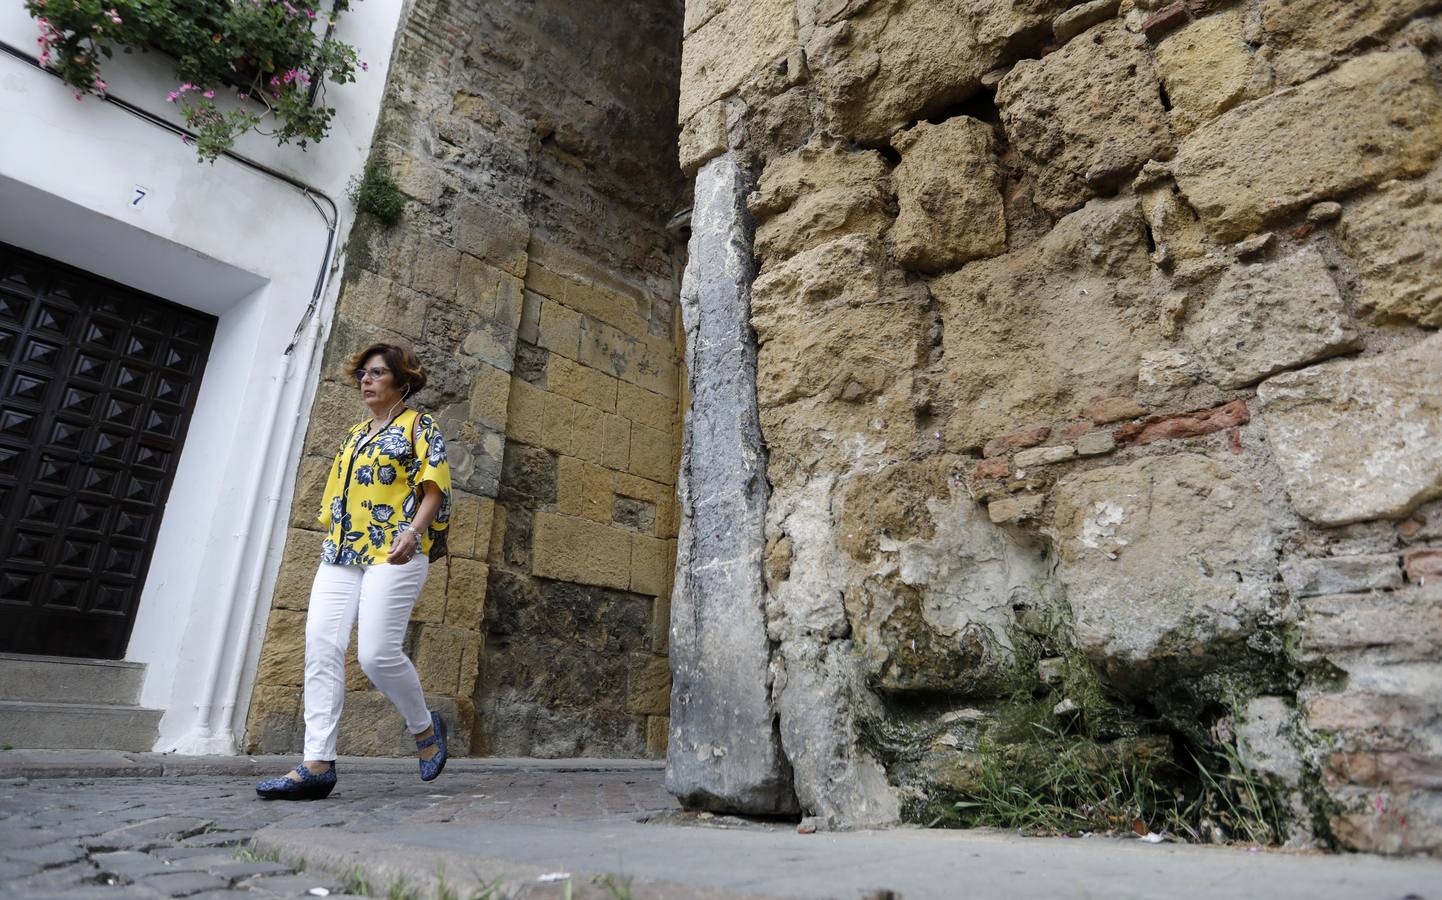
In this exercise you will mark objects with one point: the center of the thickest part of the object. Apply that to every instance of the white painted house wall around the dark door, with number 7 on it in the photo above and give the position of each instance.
(227, 240)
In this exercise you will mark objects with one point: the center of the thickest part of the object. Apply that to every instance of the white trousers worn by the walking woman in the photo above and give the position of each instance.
(381, 596)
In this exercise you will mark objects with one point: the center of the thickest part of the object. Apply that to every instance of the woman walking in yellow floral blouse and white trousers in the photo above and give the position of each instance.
(387, 504)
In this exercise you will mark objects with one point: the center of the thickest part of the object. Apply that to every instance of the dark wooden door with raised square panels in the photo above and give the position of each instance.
(97, 386)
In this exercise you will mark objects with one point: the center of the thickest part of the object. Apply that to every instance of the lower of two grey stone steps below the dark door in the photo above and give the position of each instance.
(56, 726)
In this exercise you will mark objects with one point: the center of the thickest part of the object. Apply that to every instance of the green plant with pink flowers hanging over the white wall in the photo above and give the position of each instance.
(270, 56)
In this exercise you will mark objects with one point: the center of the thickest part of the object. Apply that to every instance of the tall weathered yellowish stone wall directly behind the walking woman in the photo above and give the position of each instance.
(534, 273)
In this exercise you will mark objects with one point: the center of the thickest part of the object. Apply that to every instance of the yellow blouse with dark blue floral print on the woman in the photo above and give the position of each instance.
(374, 488)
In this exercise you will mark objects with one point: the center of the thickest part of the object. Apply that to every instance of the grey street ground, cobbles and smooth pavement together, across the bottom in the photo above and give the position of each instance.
(195, 829)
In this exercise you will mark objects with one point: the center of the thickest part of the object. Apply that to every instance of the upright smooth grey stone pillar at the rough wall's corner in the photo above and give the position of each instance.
(725, 746)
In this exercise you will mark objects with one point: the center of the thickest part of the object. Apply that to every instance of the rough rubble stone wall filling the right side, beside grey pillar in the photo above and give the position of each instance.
(1097, 366)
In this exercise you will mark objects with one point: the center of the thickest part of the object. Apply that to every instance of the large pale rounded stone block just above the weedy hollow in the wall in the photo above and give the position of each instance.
(1166, 560)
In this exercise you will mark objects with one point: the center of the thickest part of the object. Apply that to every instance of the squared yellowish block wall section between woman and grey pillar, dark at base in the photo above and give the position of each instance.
(583, 540)
